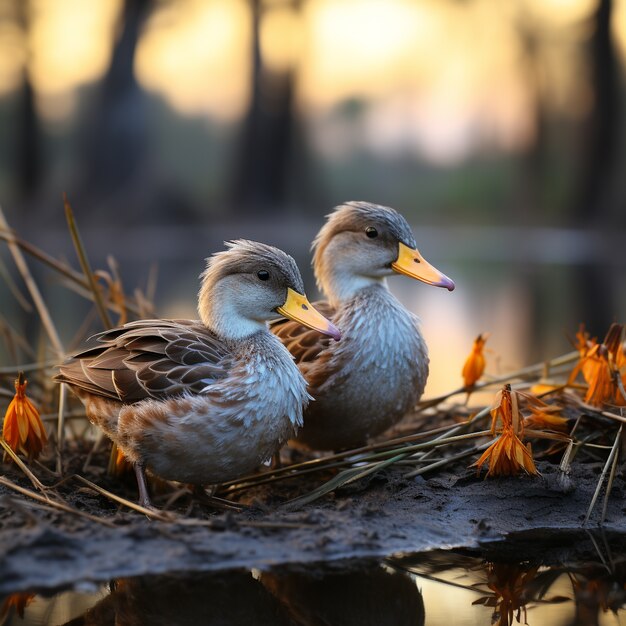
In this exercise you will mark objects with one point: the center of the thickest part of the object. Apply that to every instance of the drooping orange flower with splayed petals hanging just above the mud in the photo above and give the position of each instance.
(507, 455)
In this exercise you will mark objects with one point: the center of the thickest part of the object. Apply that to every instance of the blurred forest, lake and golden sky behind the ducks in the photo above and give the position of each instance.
(496, 127)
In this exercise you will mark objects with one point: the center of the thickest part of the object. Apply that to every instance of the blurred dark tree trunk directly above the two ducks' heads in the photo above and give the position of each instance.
(262, 165)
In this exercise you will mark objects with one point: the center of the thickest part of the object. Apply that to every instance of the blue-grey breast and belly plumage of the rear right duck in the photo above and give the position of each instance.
(366, 382)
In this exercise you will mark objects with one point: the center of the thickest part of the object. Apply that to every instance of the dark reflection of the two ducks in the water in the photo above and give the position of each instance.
(367, 596)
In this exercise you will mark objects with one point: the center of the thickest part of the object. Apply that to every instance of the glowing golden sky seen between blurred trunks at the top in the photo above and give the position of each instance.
(439, 77)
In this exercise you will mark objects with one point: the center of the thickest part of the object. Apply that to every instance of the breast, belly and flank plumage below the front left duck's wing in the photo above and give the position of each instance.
(227, 430)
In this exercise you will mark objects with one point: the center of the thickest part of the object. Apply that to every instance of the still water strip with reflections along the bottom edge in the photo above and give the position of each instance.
(434, 589)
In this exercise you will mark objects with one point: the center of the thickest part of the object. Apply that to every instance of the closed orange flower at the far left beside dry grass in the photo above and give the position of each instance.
(23, 429)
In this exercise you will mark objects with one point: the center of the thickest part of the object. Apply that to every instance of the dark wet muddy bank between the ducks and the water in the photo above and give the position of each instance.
(383, 514)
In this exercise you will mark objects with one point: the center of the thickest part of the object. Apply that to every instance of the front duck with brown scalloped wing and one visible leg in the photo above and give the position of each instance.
(209, 400)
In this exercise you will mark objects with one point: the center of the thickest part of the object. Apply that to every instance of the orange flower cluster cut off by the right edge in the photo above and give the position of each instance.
(602, 365)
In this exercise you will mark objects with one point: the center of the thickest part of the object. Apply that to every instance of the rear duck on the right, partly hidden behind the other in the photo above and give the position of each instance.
(369, 380)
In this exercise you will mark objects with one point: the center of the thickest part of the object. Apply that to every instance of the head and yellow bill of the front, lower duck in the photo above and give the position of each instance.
(246, 285)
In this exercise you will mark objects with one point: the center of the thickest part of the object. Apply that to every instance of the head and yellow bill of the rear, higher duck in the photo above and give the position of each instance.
(362, 243)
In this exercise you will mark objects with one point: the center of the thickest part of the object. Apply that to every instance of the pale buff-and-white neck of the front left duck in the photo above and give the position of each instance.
(220, 314)
